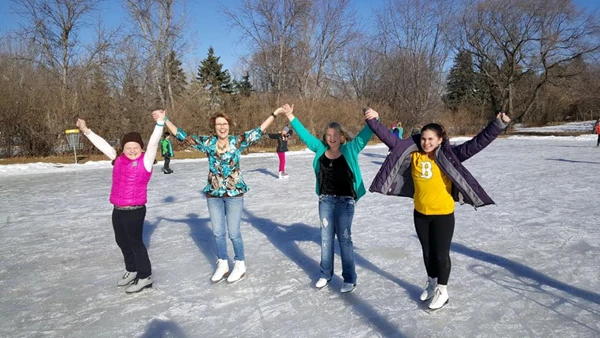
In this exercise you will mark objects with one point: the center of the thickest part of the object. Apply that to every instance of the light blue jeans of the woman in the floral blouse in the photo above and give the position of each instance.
(226, 216)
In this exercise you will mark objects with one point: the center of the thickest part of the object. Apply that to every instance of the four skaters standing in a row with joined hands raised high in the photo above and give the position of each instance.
(424, 167)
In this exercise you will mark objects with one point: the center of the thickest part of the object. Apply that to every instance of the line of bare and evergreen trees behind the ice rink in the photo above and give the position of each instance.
(456, 62)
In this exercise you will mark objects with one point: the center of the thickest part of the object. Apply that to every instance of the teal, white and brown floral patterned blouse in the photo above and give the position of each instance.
(224, 174)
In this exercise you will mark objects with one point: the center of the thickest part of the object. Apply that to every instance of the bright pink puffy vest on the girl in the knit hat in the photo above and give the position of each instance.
(130, 182)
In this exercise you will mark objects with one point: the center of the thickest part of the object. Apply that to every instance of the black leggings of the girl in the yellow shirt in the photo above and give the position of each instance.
(435, 234)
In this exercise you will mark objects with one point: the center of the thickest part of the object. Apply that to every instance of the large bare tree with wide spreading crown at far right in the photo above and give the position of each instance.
(513, 39)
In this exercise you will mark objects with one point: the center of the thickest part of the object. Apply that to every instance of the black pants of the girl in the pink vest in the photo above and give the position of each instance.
(128, 226)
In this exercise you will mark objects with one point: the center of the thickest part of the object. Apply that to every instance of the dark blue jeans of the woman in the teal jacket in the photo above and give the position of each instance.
(336, 213)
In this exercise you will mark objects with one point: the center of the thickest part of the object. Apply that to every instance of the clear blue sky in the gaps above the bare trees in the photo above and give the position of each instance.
(209, 29)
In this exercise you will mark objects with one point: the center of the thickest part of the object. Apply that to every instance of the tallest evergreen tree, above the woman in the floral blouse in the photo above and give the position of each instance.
(213, 78)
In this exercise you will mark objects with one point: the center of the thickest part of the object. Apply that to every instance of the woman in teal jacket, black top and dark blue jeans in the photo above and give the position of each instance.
(339, 185)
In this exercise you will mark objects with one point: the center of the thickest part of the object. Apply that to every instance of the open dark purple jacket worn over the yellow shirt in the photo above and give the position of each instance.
(395, 178)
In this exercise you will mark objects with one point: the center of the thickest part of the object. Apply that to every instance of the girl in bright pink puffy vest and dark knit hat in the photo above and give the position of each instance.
(132, 169)
